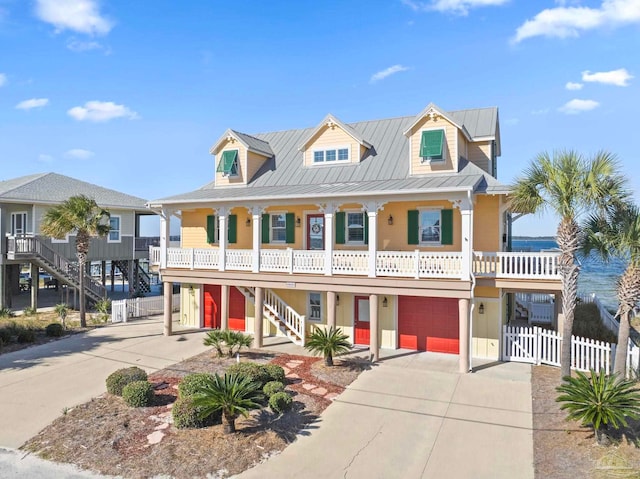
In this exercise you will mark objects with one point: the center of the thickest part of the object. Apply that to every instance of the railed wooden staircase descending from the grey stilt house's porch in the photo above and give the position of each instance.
(32, 249)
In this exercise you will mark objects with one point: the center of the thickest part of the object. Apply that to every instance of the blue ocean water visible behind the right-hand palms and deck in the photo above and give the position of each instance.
(595, 276)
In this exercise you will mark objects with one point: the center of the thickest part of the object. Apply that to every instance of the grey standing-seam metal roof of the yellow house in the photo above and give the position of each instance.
(384, 167)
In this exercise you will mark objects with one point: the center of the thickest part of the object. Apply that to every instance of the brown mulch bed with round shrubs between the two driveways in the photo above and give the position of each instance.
(106, 436)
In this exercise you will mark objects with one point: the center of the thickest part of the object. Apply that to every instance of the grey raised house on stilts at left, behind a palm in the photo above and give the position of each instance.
(23, 203)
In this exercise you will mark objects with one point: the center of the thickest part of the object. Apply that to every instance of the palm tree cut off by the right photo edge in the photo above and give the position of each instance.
(617, 234)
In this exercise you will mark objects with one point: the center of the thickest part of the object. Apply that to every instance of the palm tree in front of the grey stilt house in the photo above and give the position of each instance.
(82, 215)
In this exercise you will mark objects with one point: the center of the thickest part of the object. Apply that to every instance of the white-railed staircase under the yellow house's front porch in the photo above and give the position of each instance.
(280, 314)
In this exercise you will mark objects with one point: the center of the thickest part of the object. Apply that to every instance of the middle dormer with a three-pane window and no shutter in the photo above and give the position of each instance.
(331, 143)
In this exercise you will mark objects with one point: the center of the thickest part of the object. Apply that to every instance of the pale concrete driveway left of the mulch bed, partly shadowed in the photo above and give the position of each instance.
(37, 383)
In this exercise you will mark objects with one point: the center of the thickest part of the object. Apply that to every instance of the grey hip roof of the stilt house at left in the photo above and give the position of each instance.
(52, 188)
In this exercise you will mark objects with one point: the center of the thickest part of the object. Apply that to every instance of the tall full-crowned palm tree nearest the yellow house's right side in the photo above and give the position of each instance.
(569, 185)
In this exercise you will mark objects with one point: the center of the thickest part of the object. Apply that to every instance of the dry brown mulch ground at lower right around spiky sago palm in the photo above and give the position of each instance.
(565, 450)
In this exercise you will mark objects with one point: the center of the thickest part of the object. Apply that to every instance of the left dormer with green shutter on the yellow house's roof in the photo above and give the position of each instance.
(238, 157)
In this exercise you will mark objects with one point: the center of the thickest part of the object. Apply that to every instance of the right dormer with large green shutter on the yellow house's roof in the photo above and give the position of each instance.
(435, 141)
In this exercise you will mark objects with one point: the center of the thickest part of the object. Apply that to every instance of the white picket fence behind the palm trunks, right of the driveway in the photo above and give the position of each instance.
(540, 346)
